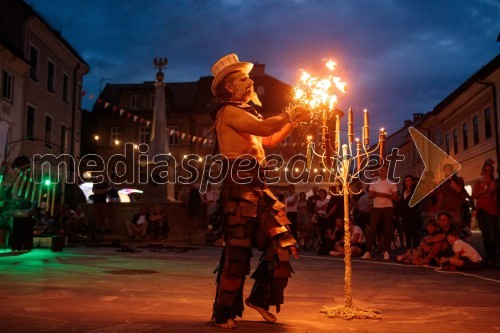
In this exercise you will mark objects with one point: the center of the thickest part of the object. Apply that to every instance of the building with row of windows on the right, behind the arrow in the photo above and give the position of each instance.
(465, 125)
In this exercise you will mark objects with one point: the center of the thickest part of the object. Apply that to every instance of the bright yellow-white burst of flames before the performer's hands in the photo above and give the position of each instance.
(319, 94)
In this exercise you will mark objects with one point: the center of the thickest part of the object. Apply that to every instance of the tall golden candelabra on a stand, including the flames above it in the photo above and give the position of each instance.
(344, 163)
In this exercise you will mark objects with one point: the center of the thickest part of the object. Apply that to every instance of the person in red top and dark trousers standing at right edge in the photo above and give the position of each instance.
(484, 192)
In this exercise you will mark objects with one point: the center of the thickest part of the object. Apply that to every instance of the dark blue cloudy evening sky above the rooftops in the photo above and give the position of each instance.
(398, 57)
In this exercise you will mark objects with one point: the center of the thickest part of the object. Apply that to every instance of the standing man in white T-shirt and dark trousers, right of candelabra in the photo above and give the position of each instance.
(383, 193)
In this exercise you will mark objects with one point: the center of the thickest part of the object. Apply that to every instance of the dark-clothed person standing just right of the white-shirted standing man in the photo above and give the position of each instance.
(409, 215)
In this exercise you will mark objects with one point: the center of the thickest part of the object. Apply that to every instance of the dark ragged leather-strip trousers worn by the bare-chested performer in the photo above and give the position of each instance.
(252, 217)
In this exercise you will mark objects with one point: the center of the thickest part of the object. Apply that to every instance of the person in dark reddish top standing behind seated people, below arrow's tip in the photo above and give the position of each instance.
(451, 196)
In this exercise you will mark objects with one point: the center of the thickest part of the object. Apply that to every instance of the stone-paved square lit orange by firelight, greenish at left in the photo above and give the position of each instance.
(170, 289)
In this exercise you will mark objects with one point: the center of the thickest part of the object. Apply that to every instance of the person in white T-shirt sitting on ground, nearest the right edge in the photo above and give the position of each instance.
(465, 256)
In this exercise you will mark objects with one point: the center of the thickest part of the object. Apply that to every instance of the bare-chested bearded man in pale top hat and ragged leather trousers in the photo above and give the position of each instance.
(250, 213)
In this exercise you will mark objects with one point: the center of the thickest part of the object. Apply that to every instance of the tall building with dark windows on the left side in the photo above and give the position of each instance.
(41, 89)
